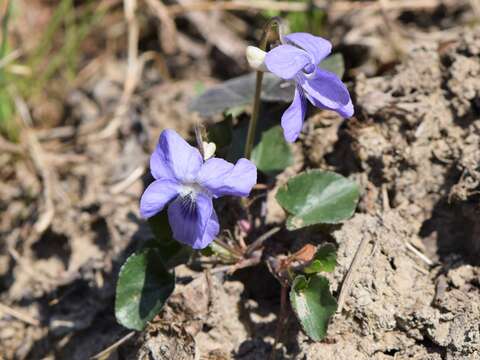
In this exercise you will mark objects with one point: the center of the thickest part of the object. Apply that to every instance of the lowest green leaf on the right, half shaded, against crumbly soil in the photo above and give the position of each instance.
(313, 304)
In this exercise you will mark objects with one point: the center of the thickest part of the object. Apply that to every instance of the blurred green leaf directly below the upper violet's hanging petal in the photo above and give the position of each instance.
(272, 154)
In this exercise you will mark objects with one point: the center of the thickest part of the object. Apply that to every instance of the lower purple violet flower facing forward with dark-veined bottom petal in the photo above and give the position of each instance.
(187, 184)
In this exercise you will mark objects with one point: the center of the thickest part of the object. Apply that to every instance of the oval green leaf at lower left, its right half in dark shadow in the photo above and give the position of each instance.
(143, 287)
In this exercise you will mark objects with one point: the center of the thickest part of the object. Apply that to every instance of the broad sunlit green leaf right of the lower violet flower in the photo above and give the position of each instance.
(318, 197)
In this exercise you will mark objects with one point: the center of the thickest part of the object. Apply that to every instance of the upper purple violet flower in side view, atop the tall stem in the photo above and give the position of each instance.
(297, 59)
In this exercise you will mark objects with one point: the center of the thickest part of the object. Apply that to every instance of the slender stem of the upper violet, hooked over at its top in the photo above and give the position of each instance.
(275, 22)
